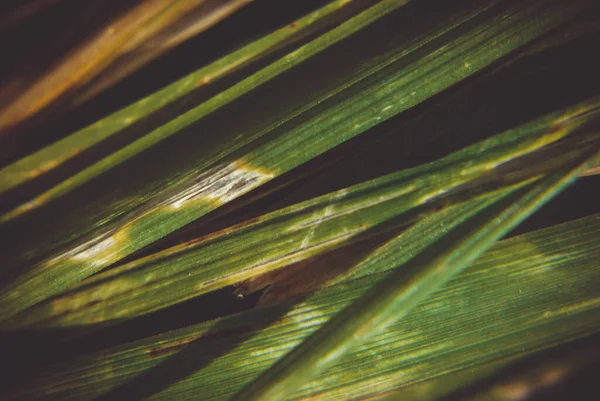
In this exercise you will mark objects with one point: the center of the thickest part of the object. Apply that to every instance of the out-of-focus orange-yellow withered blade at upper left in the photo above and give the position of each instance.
(143, 22)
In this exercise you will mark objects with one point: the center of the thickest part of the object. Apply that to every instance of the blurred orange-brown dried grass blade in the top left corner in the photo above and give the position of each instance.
(148, 21)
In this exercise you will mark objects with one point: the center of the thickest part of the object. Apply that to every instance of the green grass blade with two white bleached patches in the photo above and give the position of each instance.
(106, 244)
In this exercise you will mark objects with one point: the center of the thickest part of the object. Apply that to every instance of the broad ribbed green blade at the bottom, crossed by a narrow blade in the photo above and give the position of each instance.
(539, 284)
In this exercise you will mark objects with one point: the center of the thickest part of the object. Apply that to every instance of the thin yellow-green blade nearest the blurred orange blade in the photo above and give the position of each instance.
(55, 155)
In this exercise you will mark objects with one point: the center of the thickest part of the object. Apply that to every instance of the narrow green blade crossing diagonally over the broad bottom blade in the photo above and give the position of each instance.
(400, 293)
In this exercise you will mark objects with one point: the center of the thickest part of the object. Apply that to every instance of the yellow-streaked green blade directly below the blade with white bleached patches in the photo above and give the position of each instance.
(285, 236)
